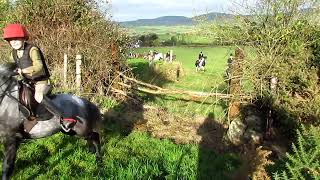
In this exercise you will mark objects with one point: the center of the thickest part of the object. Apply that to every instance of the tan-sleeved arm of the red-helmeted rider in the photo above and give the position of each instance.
(37, 65)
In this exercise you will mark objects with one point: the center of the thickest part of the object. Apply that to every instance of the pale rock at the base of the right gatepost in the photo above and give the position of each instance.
(235, 132)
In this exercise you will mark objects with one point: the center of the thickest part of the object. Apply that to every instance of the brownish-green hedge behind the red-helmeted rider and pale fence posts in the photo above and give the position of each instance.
(74, 27)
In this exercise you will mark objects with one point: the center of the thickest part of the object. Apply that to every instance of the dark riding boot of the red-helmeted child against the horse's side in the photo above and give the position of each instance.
(51, 107)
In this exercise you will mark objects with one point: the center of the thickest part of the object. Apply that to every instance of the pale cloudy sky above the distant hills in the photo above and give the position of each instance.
(126, 10)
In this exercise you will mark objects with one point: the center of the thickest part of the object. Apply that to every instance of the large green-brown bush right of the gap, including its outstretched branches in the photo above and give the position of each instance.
(283, 42)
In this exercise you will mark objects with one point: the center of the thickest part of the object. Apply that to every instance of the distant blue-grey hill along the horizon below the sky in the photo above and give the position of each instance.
(175, 20)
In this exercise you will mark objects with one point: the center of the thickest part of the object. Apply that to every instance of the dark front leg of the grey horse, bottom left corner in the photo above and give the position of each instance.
(10, 151)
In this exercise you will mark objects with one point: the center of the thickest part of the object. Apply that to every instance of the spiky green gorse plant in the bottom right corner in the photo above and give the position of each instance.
(304, 161)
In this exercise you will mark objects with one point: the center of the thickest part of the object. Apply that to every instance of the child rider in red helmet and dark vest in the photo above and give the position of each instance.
(31, 65)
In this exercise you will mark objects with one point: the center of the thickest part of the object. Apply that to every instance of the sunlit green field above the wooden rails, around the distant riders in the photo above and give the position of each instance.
(206, 81)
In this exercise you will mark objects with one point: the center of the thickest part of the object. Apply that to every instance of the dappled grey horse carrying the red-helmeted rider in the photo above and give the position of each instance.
(12, 118)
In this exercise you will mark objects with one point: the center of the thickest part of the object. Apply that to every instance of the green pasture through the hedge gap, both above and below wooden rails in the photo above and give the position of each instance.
(211, 80)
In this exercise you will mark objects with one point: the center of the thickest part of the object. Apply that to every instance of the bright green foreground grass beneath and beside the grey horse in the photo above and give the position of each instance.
(136, 156)
